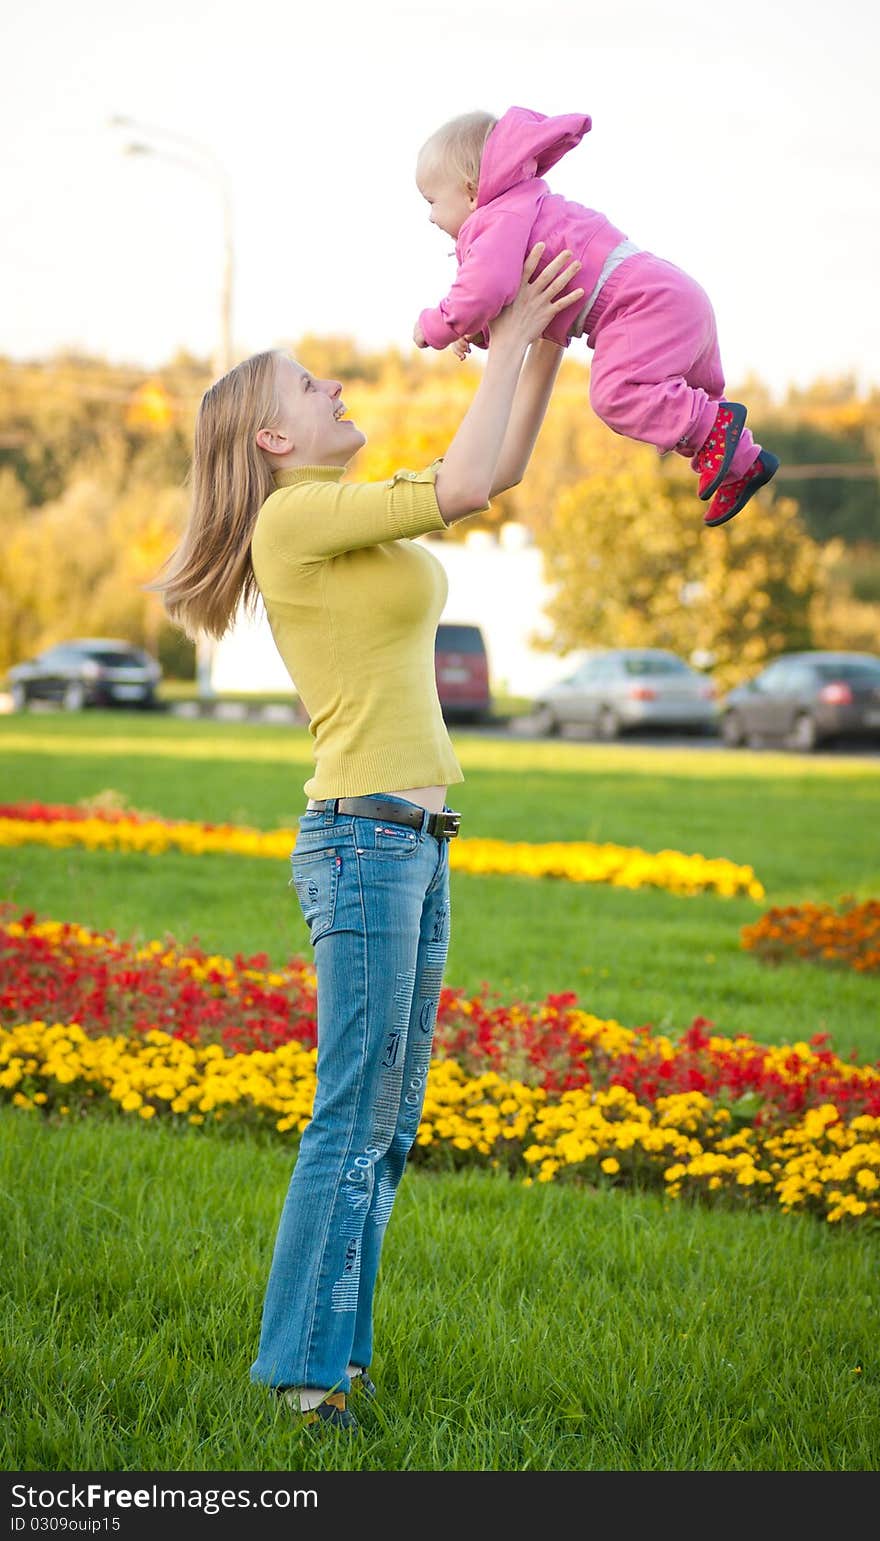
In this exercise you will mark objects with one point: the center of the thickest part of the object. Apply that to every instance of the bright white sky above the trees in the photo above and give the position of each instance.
(741, 141)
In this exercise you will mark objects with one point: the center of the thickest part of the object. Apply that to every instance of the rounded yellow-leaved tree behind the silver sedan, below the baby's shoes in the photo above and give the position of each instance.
(634, 566)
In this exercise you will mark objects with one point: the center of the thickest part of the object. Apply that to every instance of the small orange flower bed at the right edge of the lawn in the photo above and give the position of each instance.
(844, 938)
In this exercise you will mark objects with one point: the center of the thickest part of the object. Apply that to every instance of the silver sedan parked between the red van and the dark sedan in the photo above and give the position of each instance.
(628, 688)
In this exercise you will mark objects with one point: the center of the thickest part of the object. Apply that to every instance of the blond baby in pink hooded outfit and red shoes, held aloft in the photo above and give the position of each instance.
(657, 371)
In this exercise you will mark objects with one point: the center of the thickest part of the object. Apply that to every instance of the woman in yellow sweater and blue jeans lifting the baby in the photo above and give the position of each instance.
(354, 606)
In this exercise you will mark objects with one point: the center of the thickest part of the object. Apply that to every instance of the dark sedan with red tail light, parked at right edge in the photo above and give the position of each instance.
(805, 700)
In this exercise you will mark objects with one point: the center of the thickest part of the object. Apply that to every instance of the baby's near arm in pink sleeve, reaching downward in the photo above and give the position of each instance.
(488, 280)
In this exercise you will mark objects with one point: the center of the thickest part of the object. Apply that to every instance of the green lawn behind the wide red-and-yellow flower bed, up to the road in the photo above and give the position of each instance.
(645, 956)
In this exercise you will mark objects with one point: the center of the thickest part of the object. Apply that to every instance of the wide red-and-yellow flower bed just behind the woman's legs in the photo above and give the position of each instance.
(549, 1092)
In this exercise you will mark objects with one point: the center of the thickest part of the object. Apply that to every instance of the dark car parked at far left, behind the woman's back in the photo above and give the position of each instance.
(90, 671)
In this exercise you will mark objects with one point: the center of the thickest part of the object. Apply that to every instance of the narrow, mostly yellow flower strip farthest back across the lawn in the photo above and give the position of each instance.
(107, 828)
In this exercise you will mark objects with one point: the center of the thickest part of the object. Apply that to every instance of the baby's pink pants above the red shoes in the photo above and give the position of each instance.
(657, 371)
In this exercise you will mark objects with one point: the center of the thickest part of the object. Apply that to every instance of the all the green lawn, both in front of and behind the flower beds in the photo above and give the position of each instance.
(540, 1328)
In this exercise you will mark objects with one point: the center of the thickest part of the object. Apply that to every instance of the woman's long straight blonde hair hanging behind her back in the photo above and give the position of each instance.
(210, 572)
